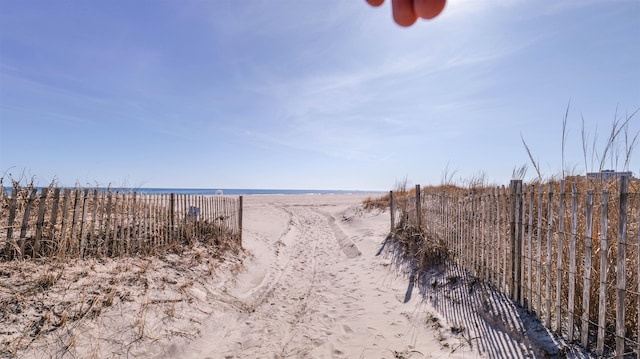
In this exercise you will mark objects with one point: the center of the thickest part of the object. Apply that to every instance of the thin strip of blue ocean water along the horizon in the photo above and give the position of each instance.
(229, 191)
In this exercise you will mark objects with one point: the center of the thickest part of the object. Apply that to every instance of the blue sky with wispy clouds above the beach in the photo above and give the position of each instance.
(309, 94)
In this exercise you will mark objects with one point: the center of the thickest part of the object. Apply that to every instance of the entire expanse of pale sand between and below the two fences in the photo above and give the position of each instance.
(312, 282)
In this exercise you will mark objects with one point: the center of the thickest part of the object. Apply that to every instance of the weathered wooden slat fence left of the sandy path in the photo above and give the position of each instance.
(81, 222)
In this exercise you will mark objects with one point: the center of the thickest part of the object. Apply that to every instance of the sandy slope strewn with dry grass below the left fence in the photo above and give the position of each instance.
(106, 307)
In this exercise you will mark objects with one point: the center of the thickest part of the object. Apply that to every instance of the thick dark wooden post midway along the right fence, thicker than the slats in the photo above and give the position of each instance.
(515, 201)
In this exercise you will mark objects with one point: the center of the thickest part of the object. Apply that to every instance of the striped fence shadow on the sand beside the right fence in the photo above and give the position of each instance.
(489, 321)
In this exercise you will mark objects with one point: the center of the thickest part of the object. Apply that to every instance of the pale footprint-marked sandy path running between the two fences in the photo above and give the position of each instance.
(315, 289)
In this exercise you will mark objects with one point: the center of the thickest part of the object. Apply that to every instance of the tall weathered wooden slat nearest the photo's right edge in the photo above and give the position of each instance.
(621, 280)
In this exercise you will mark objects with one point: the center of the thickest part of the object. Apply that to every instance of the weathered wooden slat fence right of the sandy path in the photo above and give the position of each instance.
(567, 251)
